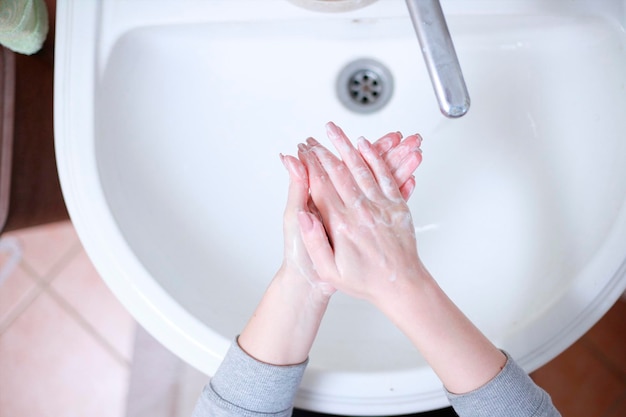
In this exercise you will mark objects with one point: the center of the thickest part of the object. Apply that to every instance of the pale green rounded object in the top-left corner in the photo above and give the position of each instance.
(23, 25)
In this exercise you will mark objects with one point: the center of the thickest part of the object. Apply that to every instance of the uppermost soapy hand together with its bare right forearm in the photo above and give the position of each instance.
(365, 246)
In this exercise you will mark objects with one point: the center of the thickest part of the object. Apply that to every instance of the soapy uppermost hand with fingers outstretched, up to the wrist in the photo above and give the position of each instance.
(366, 244)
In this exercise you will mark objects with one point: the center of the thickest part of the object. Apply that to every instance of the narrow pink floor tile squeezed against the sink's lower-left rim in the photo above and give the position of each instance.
(81, 286)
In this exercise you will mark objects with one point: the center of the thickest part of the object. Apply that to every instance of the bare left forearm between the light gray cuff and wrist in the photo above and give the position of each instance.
(284, 325)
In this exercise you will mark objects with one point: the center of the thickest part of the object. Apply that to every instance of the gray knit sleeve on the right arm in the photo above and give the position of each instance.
(511, 393)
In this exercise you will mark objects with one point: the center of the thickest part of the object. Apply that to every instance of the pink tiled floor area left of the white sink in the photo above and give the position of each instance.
(65, 341)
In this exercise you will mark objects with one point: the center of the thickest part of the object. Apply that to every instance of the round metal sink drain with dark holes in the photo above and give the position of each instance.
(364, 86)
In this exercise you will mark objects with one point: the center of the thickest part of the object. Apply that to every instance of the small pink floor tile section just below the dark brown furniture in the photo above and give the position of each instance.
(44, 246)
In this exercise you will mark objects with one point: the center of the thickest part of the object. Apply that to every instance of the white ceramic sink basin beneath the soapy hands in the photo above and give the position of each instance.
(170, 118)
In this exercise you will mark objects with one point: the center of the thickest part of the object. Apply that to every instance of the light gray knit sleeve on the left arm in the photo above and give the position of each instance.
(243, 386)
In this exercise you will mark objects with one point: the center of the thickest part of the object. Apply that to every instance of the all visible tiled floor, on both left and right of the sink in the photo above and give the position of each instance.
(66, 343)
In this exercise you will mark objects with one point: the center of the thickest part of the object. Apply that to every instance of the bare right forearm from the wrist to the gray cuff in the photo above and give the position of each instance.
(463, 358)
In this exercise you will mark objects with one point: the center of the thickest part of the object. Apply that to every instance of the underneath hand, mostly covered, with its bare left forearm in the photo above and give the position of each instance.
(284, 324)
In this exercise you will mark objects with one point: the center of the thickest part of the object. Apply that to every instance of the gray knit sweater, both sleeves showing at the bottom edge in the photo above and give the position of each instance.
(245, 387)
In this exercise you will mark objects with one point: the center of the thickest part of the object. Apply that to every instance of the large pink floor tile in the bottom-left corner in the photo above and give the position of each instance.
(50, 366)
